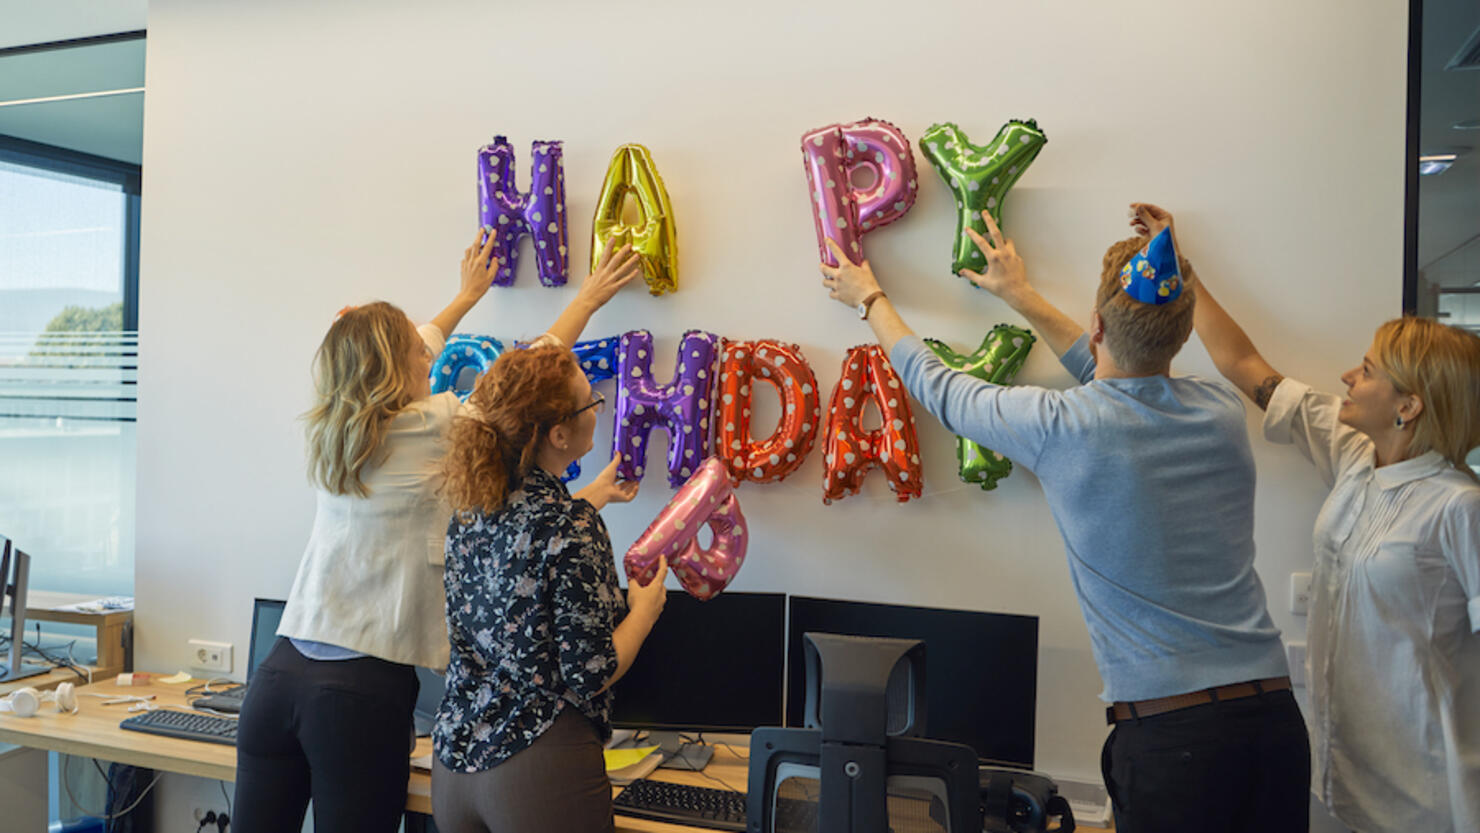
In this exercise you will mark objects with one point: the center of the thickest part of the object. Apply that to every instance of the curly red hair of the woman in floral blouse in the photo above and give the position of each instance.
(517, 402)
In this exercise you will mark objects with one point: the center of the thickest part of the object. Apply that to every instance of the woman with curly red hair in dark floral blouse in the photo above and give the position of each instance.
(538, 625)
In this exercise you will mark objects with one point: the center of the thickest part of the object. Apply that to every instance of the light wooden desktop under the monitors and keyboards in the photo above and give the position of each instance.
(94, 733)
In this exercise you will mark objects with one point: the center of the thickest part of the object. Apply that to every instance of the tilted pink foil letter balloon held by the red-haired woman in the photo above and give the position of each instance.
(705, 499)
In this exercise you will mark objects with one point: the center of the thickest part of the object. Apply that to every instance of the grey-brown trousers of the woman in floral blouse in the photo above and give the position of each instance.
(557, 785)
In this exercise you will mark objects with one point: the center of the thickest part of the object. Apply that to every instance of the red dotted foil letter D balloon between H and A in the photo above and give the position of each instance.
(744, 366)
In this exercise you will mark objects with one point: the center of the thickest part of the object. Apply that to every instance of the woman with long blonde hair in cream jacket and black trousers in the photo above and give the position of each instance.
(329, 711)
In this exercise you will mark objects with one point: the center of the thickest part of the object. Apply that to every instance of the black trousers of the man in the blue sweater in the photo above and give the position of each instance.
(1231, 767)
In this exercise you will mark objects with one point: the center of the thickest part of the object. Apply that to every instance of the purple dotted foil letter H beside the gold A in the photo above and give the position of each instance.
(541, 214)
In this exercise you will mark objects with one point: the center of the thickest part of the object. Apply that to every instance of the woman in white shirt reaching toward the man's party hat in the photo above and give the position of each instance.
(1395, 661)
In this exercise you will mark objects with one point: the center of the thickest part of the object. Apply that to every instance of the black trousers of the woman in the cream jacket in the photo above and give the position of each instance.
(334, 732)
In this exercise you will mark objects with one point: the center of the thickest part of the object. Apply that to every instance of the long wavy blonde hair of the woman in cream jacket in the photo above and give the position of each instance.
(362, 380)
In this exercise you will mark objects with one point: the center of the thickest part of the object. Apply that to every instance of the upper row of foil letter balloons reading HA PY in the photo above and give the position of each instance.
(861, 178)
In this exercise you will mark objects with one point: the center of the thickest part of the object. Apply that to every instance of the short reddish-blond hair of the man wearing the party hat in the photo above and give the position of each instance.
(1143, 338)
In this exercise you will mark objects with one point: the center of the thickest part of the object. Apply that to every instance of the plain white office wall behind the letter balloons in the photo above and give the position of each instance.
(301, 158)
